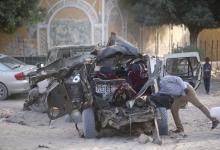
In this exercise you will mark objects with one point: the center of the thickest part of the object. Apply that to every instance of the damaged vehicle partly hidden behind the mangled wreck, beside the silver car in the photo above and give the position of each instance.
(36, 100)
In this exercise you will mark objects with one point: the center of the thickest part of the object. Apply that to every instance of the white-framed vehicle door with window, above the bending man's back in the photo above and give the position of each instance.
(186, 65)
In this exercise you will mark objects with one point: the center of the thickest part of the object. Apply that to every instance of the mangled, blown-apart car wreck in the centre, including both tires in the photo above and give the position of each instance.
(108, 88)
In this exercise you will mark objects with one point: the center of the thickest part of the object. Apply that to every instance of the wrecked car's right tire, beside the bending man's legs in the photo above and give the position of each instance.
(163, 121)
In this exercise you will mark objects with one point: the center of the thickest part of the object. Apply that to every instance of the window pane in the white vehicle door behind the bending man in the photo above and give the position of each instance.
(182, 66)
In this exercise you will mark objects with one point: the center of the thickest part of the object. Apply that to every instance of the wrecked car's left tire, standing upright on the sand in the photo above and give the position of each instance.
(88, 122)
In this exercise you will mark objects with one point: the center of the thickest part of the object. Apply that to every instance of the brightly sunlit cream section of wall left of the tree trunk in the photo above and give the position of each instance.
(161, 40)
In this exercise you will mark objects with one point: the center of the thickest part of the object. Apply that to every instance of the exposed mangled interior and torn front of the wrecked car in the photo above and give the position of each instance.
(115, 85)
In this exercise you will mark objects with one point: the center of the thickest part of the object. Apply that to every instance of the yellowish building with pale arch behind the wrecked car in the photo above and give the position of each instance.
(89, 22)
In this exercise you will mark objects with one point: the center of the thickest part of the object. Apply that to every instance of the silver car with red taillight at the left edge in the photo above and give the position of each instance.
(13, 76)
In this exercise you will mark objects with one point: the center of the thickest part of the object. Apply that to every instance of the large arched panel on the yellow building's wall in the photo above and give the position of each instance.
(70, 26)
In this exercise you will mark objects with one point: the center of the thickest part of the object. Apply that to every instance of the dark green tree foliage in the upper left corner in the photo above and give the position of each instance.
(16, 13)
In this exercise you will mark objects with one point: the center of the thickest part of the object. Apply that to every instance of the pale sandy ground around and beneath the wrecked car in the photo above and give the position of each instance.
(31, 130)
